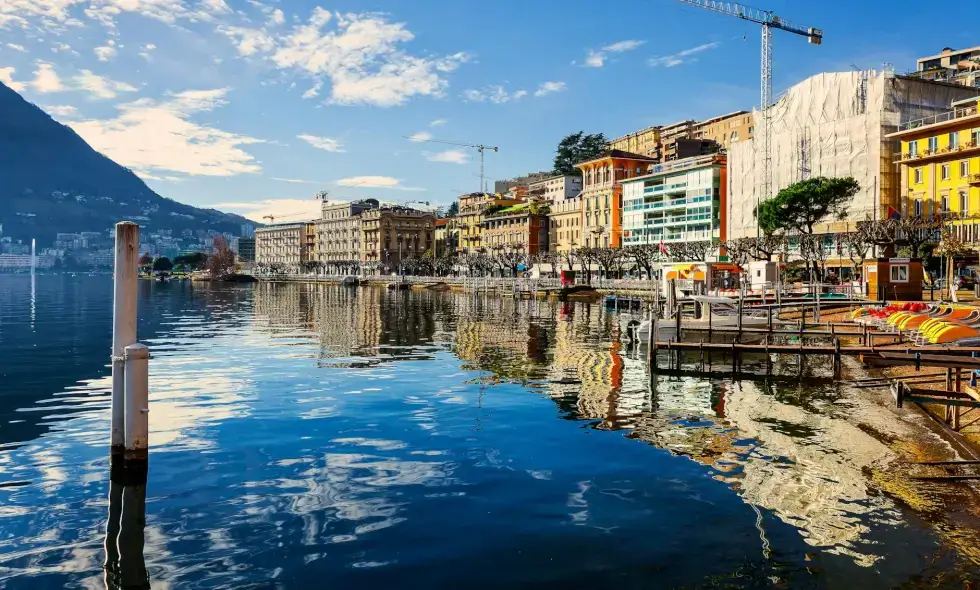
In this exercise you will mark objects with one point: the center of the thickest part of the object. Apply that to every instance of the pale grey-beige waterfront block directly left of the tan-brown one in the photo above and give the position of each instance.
(338, 232)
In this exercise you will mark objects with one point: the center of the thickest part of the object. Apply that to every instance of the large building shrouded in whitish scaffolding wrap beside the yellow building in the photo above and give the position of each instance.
(834, 125)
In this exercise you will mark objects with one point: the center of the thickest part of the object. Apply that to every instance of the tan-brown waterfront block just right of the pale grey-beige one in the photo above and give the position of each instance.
(390, 235)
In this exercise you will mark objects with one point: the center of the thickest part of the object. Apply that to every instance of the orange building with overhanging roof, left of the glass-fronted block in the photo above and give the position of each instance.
(602, 195)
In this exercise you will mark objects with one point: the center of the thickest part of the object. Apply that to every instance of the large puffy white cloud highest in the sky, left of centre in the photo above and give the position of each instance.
(359, 54)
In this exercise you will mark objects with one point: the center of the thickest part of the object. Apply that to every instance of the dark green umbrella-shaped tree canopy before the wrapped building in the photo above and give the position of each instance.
(802, 205)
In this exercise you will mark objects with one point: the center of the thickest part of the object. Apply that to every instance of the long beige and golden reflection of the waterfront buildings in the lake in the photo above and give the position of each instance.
(776, 453)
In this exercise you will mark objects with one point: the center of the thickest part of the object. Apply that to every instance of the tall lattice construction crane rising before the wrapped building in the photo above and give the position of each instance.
(769, 21)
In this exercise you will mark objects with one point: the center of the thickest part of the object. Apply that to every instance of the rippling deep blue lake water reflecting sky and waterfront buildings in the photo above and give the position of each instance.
(307, 436)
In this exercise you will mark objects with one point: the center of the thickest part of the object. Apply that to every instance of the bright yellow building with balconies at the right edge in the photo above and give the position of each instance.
(940, 166)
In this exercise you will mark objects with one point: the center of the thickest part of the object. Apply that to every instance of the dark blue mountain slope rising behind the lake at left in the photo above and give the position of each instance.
(52, 181)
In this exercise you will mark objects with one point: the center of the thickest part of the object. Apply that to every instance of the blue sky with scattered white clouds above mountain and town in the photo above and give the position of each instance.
(252, 106)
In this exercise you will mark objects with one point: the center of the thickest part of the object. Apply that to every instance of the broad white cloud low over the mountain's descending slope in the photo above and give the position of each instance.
(154, 137)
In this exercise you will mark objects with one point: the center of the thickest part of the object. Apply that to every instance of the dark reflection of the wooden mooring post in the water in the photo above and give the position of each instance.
(125, 567)
